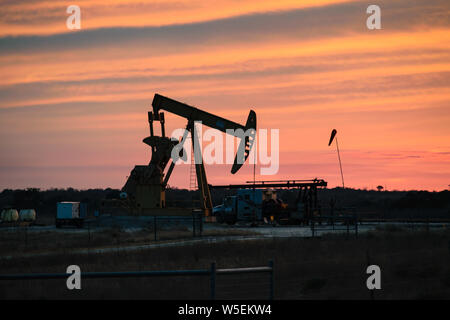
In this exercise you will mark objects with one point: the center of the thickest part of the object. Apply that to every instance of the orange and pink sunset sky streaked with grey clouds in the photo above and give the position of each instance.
(73, 103)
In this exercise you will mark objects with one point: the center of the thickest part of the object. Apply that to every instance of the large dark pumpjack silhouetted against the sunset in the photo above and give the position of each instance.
(144, 191)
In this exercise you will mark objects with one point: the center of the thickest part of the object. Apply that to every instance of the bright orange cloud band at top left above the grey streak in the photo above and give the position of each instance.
(49, 17)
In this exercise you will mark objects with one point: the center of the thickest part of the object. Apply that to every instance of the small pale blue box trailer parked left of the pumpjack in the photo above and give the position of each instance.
(70, 213)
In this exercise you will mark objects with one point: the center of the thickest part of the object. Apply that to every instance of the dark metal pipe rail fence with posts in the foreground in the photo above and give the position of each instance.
(213, 273)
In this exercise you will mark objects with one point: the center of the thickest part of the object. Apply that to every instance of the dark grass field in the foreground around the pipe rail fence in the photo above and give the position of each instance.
(414, 265)
